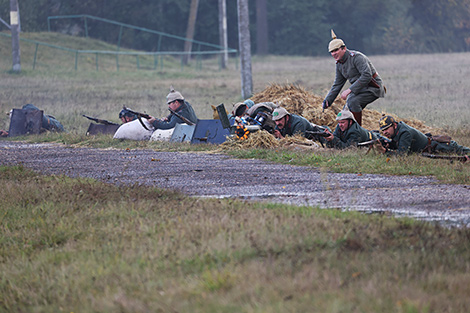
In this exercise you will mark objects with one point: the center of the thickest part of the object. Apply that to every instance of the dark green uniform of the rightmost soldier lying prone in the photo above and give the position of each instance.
(407, 139)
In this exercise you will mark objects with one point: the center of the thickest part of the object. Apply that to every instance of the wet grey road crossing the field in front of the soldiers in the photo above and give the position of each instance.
(213, 175)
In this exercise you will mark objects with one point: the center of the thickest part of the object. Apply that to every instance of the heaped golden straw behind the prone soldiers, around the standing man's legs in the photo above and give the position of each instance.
(295, 99)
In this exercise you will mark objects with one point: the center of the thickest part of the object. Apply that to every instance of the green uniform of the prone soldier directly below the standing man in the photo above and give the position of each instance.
(350, 137)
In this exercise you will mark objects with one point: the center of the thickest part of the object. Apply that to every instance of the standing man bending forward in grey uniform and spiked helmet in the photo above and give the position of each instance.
(366, 84)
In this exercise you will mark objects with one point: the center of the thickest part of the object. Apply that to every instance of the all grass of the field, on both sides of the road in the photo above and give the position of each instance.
(69, 245)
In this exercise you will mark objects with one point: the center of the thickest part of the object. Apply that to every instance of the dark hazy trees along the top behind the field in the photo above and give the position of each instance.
(294, 27)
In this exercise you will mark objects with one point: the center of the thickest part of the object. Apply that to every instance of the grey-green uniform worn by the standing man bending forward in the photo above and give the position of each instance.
(366, 84)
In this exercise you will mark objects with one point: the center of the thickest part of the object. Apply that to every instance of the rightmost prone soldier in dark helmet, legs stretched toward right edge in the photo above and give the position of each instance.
(406, 140)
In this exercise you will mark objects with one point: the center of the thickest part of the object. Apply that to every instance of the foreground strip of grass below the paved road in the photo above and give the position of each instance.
(77, 245)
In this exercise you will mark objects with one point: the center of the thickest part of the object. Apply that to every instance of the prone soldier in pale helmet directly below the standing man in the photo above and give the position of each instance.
(348, 132)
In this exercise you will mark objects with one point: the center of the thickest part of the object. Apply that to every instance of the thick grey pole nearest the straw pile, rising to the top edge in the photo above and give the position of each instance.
(245, 48)
